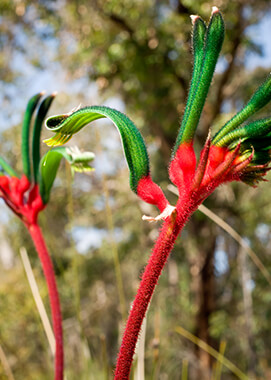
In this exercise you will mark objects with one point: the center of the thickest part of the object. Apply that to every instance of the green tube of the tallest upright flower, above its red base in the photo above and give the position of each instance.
(203, 75)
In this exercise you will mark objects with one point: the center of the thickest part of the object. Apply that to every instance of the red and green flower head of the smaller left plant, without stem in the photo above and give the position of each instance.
(27, 195)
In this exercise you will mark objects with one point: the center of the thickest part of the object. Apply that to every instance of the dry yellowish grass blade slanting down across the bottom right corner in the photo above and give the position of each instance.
(211, 351)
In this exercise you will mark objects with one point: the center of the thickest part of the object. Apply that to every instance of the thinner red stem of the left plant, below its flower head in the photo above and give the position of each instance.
(48, 271)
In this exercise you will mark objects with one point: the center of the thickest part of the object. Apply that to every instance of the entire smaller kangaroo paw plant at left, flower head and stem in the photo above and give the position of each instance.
(29, 194)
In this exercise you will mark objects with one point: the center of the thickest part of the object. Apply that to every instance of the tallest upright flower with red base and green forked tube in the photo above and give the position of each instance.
(206, 48)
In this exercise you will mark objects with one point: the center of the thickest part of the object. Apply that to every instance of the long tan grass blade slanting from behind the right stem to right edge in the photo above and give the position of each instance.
(226, 227)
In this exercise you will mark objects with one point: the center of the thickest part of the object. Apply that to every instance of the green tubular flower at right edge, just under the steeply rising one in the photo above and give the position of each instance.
(256, 129)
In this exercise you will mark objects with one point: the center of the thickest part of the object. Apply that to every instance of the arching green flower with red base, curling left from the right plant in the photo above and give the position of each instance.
(133, 145)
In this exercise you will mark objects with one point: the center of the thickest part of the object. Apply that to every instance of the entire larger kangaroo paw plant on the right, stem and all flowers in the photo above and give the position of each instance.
(238, 152)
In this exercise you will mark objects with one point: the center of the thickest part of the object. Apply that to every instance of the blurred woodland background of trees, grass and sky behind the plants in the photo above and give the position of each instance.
(133, 55)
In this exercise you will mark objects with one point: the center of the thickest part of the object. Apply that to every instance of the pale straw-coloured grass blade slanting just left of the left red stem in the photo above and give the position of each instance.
(37, 298)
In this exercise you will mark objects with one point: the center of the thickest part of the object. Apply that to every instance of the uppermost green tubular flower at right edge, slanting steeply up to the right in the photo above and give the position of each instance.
(260, 98)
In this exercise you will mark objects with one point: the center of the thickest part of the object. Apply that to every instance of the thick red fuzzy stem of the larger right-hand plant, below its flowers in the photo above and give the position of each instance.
(163, 246)
